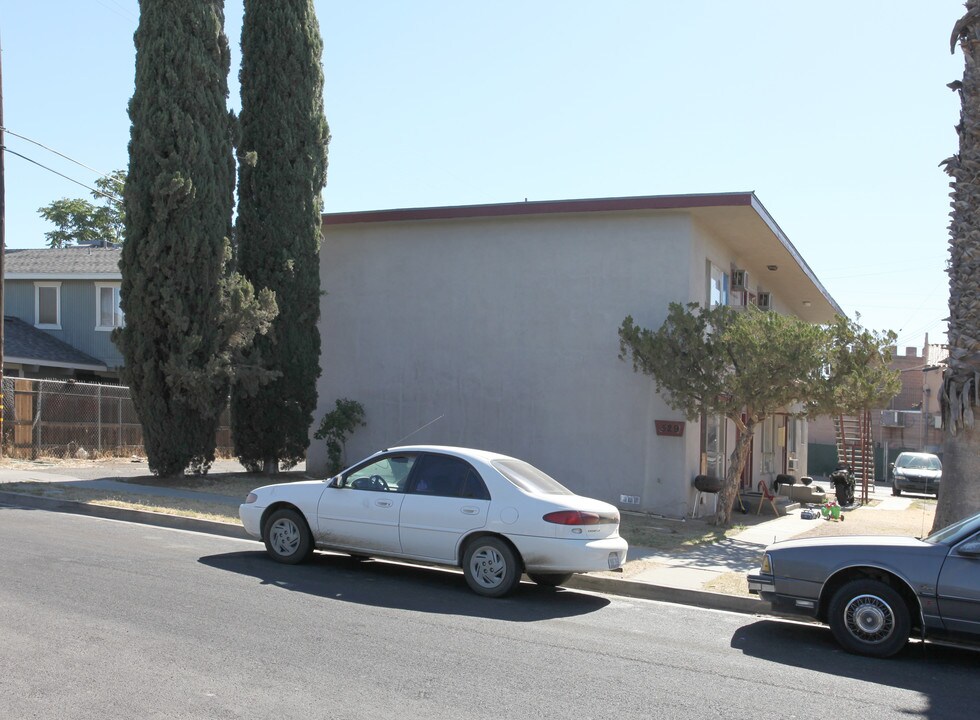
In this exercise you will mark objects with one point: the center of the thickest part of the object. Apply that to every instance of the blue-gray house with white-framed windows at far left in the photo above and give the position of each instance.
(60, 308)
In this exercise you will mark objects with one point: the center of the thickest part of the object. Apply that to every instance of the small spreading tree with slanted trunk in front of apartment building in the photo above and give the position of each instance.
(748, 365)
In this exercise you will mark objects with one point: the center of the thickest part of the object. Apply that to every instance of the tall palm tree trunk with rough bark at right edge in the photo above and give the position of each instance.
(960, 494)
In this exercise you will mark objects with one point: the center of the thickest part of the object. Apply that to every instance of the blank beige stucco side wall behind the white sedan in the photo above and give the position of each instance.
(507, 328)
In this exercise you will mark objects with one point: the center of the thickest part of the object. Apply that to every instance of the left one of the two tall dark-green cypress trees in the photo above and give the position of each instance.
(189, 321)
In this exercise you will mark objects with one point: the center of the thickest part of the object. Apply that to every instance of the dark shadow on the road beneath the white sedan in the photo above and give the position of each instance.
(406, 587)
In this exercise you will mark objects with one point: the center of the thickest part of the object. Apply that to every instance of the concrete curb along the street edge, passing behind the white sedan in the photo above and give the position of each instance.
(592, 583)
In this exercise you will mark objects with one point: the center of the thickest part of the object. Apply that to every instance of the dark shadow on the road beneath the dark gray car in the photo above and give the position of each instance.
(944, 676)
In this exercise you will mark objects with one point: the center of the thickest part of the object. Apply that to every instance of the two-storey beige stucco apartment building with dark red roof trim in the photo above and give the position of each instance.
(495, 326)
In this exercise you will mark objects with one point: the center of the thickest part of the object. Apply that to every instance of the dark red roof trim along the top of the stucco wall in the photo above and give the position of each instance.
(546, 207)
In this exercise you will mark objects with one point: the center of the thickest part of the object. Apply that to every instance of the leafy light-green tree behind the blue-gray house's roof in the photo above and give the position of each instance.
(80, 222)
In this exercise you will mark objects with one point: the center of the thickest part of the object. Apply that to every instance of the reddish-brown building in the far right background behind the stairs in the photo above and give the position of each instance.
(912, 420)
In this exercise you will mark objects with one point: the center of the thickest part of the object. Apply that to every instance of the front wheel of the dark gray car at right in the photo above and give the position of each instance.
(868, 617)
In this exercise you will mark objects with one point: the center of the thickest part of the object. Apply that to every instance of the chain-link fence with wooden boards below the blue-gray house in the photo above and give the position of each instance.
(64, 418)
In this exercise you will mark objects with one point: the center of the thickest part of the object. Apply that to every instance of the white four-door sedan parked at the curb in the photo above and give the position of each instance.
(495, 516)
